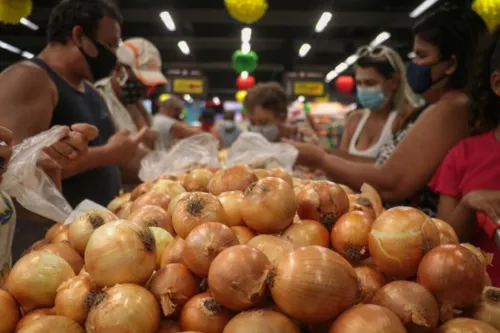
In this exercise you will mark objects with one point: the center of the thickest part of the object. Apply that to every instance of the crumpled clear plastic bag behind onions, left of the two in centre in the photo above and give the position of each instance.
(200, 150)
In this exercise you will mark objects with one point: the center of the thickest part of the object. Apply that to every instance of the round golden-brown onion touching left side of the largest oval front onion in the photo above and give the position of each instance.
(237, 277)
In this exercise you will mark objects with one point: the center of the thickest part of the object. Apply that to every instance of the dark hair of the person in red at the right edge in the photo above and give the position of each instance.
(485, 108)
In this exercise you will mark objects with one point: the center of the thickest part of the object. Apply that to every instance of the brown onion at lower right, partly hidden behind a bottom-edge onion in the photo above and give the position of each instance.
(413, 304)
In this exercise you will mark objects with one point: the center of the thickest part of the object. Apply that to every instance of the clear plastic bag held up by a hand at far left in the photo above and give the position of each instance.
(26, 182)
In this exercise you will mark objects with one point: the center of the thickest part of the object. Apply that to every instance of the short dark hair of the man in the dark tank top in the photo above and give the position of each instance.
(84, 13)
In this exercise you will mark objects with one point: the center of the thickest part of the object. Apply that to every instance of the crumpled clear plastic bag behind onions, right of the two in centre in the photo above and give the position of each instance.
(256, 151)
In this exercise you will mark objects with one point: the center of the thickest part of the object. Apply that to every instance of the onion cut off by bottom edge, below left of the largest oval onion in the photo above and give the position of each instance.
(261, 320)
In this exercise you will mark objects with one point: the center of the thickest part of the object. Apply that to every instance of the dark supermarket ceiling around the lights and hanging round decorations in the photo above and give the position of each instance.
(212, 35)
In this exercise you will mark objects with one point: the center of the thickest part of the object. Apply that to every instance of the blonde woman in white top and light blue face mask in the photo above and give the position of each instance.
(386, 97)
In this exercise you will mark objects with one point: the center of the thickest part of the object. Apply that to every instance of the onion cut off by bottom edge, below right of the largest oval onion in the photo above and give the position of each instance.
(368, 318)
